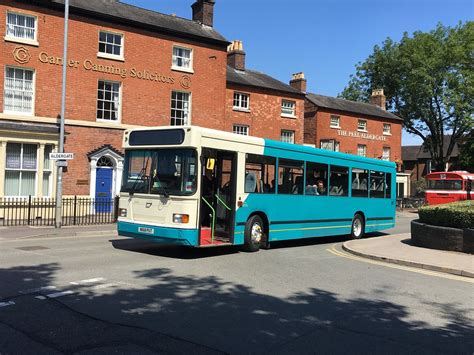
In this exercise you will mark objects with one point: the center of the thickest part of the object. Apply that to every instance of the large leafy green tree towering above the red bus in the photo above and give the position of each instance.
(428, 79)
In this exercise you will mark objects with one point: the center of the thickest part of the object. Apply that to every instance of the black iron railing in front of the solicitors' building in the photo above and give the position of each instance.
(34, 211)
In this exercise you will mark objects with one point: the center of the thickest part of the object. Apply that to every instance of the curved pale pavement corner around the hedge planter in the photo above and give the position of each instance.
(397, 249)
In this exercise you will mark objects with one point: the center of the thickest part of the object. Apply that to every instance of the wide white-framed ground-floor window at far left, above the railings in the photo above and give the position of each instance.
(20, 169)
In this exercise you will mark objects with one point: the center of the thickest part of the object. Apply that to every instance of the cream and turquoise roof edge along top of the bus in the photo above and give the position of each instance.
(268, 143)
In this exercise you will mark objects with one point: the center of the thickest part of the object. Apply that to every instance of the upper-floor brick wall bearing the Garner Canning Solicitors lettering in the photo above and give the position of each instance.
(144, 102)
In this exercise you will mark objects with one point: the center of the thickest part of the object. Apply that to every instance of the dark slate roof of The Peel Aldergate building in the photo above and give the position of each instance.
(335, 103)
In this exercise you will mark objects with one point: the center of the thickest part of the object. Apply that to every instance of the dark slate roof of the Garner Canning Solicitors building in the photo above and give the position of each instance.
(115, 11)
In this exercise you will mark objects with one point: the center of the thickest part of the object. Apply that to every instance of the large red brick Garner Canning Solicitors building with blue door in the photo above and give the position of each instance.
(127, 66)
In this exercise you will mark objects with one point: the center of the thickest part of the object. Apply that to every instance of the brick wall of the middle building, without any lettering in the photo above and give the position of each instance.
(264, 118)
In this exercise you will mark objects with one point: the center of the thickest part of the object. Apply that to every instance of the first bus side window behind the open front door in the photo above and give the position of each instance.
(259, 174)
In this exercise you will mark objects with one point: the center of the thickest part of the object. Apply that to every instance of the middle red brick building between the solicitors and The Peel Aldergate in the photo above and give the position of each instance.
(259, 105)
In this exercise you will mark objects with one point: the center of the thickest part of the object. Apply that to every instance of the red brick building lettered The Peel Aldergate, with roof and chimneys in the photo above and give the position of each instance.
(364, 129)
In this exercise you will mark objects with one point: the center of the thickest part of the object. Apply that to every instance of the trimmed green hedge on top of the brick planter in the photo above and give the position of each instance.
(456, 214)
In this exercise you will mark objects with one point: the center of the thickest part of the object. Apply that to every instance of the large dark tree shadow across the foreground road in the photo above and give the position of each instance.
(223, 315)
